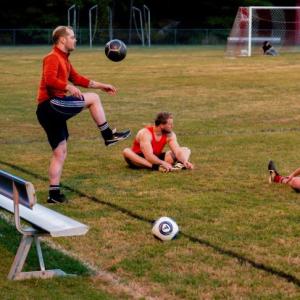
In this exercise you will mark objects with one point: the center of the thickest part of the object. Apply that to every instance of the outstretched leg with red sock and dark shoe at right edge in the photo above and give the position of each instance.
(293, 180)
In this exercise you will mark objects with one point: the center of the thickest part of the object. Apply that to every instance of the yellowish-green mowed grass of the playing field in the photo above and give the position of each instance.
(240, 235)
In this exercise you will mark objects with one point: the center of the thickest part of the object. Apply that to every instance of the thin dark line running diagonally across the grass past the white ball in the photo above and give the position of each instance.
(241, 258)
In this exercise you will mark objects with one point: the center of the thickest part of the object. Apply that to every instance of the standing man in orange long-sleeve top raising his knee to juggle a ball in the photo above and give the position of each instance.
(59, 100)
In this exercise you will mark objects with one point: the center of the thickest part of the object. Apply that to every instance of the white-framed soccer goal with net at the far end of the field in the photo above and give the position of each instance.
(279, 25)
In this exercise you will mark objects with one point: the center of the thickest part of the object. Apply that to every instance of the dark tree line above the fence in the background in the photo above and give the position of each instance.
(183, 13)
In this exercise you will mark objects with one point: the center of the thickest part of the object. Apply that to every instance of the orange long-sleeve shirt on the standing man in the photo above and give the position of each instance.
(57, 71)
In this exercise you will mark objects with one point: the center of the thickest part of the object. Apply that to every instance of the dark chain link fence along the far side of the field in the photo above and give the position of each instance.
(16, 37)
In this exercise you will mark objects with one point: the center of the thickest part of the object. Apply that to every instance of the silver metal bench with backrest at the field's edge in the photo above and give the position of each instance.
(17, 196)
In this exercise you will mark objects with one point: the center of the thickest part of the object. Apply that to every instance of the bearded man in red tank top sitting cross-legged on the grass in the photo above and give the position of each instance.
(147, 149)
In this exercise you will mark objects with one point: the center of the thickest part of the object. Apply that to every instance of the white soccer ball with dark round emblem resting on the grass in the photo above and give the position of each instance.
(165, 229)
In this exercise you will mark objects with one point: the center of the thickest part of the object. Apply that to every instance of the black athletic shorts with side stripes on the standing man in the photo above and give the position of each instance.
(53, 115)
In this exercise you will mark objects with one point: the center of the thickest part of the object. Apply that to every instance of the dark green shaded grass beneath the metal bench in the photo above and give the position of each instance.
(10, 239)
